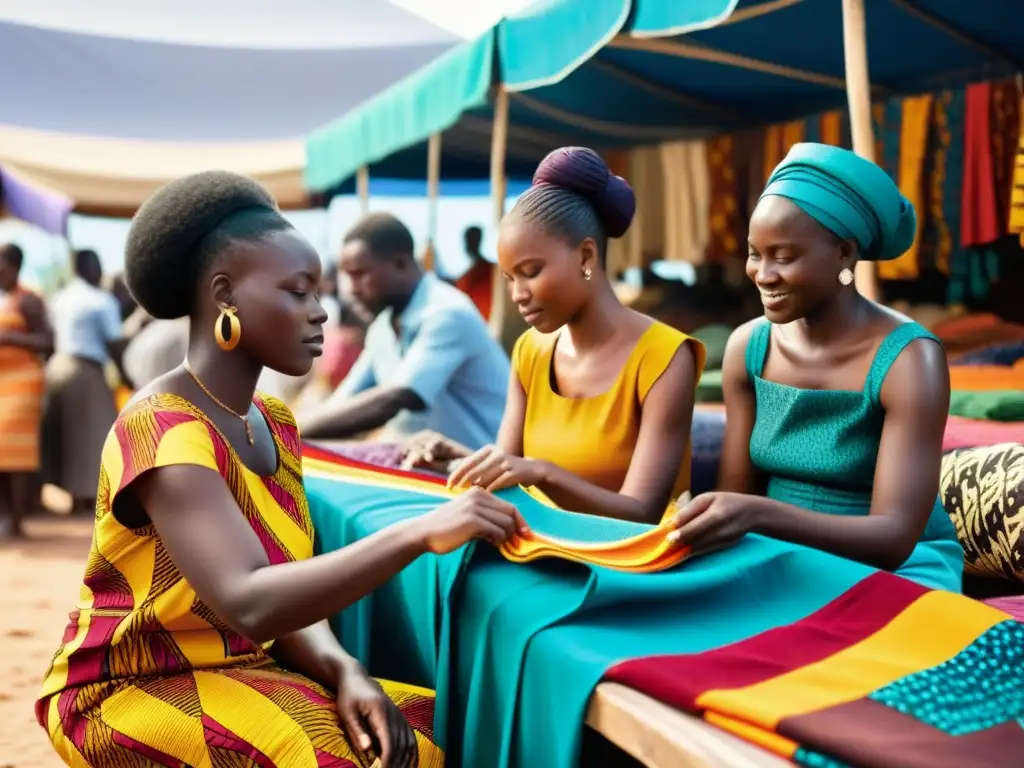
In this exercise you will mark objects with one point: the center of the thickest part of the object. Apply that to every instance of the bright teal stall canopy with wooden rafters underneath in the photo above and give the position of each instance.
(615, 74)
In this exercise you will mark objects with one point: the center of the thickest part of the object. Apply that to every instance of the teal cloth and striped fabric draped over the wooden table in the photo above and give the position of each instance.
(797, 645)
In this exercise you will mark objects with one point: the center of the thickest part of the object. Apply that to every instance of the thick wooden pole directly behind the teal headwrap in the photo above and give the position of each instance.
(859, 92)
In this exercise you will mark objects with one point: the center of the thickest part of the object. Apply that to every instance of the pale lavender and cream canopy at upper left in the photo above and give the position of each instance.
(103, 108)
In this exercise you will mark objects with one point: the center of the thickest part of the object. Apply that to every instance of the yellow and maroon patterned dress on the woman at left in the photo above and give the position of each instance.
(147, 673)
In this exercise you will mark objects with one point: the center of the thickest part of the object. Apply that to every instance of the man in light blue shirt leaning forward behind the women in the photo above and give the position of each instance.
(429, 363)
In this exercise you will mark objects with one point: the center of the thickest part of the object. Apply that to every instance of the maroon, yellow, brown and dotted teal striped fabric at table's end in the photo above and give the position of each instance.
(888, 674)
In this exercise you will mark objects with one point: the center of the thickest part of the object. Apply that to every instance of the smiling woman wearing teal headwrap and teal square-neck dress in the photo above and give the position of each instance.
(836, 406)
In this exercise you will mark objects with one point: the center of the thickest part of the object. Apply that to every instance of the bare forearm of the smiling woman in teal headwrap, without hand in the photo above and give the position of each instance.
(881, 541)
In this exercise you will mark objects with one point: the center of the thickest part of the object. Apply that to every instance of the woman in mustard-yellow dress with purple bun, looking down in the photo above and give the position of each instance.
(602, 398)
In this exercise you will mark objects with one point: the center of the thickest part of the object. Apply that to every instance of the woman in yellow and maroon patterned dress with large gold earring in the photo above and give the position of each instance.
(200, 635)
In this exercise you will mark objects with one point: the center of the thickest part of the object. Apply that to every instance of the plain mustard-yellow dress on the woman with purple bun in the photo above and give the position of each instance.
(594, 438)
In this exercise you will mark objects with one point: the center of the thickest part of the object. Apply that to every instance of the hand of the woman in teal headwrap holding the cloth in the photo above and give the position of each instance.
(712, 521)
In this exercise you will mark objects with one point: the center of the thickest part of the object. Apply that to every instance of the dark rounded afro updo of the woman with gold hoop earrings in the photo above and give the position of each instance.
(180, 231)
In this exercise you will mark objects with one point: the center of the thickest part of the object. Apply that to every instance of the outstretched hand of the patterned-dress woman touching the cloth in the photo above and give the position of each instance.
(475, 515)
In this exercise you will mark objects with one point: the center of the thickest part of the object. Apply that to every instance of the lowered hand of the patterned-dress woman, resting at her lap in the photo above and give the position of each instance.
(373, 723)
